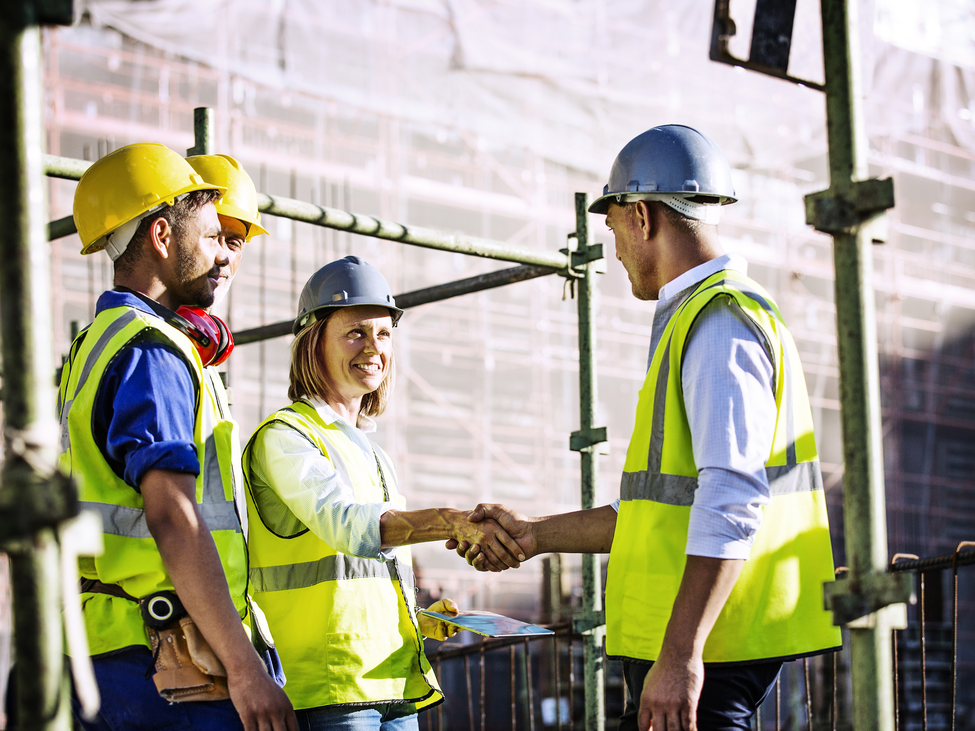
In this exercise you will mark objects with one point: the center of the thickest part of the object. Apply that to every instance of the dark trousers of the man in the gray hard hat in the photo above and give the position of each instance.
(729, 699)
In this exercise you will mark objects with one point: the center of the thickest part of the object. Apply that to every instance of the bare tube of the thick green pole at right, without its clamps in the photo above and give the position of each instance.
(863, 482)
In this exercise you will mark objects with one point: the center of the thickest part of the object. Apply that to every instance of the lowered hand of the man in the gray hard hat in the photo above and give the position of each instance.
(671, 691)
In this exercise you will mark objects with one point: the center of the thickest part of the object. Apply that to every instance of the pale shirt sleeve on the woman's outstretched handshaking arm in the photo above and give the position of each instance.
(293, 482)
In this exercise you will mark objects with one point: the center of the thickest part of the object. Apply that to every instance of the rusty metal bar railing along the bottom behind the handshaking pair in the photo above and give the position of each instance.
(530, 682)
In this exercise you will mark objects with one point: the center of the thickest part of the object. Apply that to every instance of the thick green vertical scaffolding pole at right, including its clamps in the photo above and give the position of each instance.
(870, 601)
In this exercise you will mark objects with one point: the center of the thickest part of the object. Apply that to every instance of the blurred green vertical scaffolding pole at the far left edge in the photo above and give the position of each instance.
(30, 432)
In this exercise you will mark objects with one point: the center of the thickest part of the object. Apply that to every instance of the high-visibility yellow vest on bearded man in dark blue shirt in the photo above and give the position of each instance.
(131, 559)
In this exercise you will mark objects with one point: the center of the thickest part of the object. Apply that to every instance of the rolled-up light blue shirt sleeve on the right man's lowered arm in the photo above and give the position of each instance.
(729, 395)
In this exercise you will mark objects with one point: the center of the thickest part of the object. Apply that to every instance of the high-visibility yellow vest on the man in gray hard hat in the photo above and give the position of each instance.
(776, 607)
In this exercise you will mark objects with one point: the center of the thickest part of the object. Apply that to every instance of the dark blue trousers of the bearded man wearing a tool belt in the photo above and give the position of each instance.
(130, 700)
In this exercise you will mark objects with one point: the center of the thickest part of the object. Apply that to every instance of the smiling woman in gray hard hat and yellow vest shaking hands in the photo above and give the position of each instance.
(328, 535)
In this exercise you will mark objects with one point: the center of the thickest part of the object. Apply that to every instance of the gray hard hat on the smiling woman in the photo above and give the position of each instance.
(344, 283)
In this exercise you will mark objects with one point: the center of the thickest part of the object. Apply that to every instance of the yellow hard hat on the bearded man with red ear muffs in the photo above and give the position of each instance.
(127, 184)
